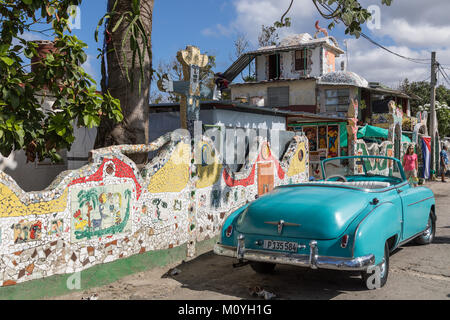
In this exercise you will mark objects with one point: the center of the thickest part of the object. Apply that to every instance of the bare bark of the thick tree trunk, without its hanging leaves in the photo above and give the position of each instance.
(135, 125)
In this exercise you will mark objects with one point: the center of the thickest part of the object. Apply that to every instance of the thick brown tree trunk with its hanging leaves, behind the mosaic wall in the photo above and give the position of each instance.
(130, 84)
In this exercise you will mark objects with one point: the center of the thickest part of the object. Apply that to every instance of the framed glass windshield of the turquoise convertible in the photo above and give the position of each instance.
(363, 168)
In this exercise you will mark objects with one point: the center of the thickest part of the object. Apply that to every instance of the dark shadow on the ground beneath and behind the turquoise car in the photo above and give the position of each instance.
(210, 272)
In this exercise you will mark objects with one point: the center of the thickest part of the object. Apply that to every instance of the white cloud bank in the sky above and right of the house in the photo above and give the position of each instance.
(412, 28)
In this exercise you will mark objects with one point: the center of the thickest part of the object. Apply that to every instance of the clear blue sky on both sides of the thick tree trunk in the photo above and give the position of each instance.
(176, 24)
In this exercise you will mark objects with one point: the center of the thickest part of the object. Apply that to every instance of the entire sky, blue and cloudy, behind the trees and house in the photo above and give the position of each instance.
(412, 28)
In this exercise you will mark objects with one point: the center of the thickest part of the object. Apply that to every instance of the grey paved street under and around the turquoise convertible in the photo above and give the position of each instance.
(417, 272)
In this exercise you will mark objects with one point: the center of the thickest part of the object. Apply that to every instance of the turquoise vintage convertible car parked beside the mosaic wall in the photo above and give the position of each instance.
(352, 220)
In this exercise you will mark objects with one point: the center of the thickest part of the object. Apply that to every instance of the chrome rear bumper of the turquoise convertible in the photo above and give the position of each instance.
(313, 260)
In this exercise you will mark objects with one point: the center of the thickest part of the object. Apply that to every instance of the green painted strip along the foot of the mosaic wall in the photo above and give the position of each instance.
(100, 275)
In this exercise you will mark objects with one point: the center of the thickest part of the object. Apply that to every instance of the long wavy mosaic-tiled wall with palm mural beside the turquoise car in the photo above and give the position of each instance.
(110, 210)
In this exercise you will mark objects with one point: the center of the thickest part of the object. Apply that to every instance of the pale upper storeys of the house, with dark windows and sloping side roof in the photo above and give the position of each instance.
(286, 75)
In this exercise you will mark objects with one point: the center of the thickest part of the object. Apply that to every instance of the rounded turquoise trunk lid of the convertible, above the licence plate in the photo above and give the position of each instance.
(309, 212)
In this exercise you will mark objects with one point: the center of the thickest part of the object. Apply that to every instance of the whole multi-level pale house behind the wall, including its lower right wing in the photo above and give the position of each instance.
(300, 76)
